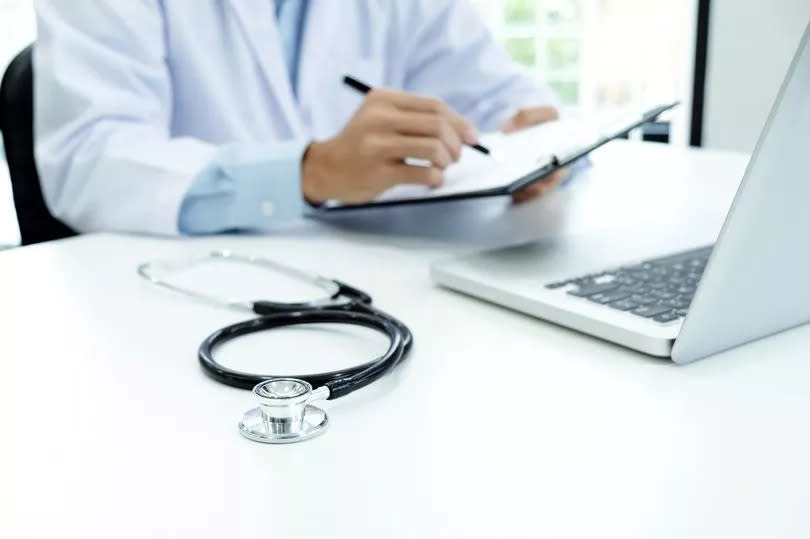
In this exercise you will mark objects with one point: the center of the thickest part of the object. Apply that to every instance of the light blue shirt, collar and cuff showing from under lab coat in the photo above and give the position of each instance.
(253, 187)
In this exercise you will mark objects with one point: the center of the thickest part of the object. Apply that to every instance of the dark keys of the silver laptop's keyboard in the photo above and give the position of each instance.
(661, 289)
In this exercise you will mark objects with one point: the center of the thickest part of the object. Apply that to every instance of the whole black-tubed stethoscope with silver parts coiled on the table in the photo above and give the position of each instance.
(285, 412)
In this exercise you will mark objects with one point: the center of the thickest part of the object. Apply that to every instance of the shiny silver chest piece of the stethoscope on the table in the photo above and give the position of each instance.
(284, 414)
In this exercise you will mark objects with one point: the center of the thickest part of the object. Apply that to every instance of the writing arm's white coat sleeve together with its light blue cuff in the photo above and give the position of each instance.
(106, 157)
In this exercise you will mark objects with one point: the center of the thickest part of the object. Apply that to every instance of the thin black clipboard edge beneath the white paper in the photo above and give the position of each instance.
(549, 165)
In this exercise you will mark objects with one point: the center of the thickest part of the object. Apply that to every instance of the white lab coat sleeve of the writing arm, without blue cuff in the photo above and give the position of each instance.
(102, 96)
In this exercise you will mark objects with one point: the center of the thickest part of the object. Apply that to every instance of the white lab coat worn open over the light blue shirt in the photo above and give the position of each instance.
(134, 97)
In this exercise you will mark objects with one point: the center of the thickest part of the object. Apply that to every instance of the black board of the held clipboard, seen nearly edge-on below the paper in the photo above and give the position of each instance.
(557, 162)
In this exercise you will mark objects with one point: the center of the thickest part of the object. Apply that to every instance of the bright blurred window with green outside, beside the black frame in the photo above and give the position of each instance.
(601, 55)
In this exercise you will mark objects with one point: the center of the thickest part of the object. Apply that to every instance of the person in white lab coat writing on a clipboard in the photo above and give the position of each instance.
(200, 116)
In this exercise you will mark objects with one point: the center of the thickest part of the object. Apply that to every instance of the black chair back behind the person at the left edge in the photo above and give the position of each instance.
(17, 125)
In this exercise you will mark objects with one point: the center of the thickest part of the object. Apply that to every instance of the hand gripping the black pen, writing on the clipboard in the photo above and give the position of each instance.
(368, 156)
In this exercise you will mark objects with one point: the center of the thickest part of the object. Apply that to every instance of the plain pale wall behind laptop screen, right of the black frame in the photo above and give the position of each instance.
(751, 45)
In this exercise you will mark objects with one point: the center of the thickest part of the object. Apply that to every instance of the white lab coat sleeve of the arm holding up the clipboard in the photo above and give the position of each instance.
(451, 54)
